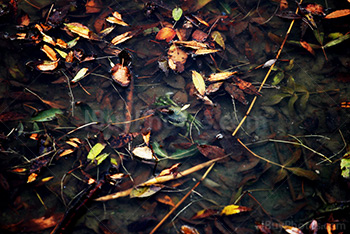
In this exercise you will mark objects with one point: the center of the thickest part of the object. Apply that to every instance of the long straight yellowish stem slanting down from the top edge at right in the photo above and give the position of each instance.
(267, 75)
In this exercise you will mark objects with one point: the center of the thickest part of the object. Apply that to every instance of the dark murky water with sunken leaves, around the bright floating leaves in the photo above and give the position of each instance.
(308, 125)
